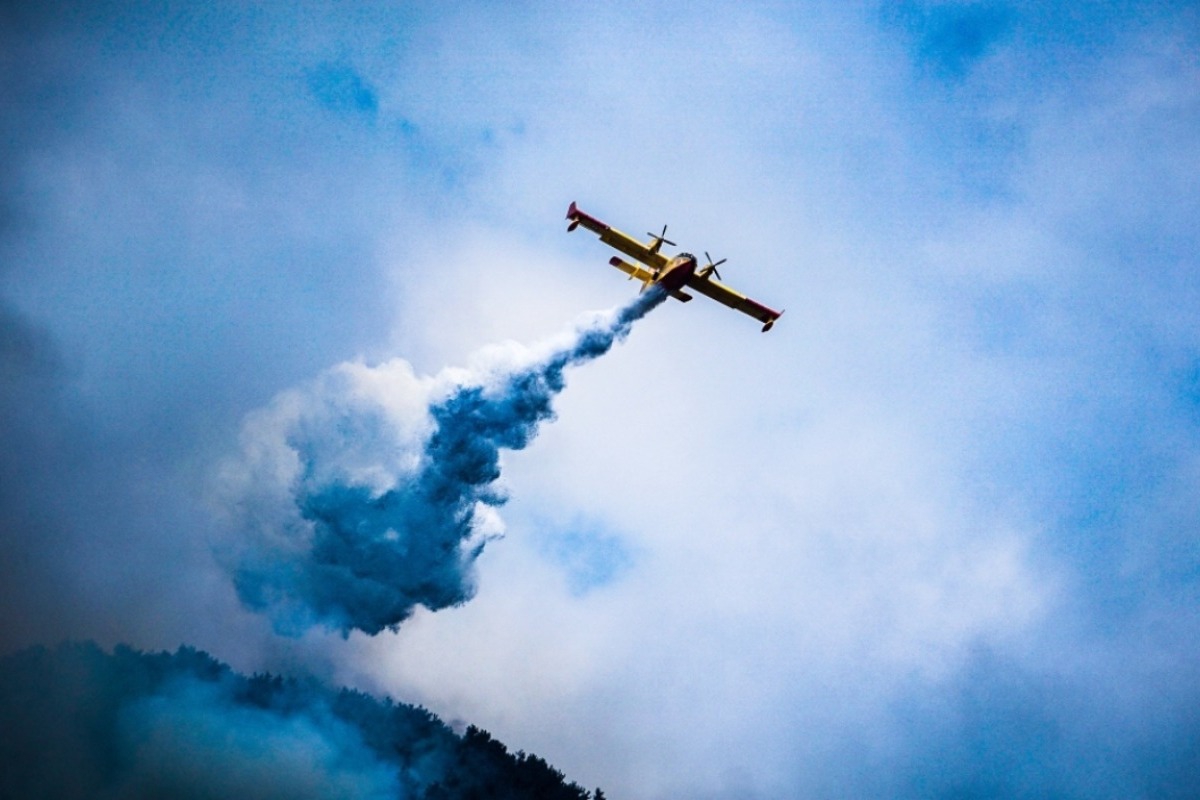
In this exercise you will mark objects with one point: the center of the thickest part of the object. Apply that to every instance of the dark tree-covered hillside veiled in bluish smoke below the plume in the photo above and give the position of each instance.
(80, 723)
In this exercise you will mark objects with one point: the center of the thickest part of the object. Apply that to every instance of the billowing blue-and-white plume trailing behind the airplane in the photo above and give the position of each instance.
(374, 491)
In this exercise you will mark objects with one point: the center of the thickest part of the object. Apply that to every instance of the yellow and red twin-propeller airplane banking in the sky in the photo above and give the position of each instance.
(673, 274)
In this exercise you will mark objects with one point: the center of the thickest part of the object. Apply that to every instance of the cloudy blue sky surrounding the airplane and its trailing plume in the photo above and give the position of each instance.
(933, 536)
